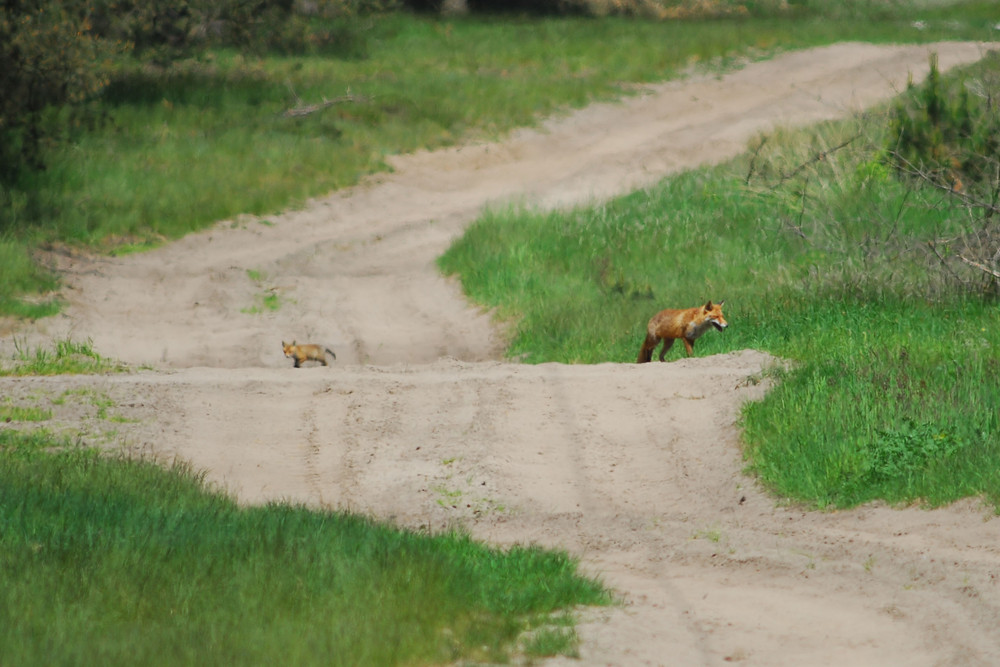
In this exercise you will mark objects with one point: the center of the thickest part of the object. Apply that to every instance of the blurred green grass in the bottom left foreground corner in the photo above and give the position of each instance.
(116, 561)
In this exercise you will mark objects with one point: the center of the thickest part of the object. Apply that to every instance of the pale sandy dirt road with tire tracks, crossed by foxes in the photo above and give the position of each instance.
(635, 469)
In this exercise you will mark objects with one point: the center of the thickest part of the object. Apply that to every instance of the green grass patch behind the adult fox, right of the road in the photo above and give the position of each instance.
(895, 384)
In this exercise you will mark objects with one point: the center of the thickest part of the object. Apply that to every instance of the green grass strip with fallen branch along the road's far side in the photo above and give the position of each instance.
(162, 153)
